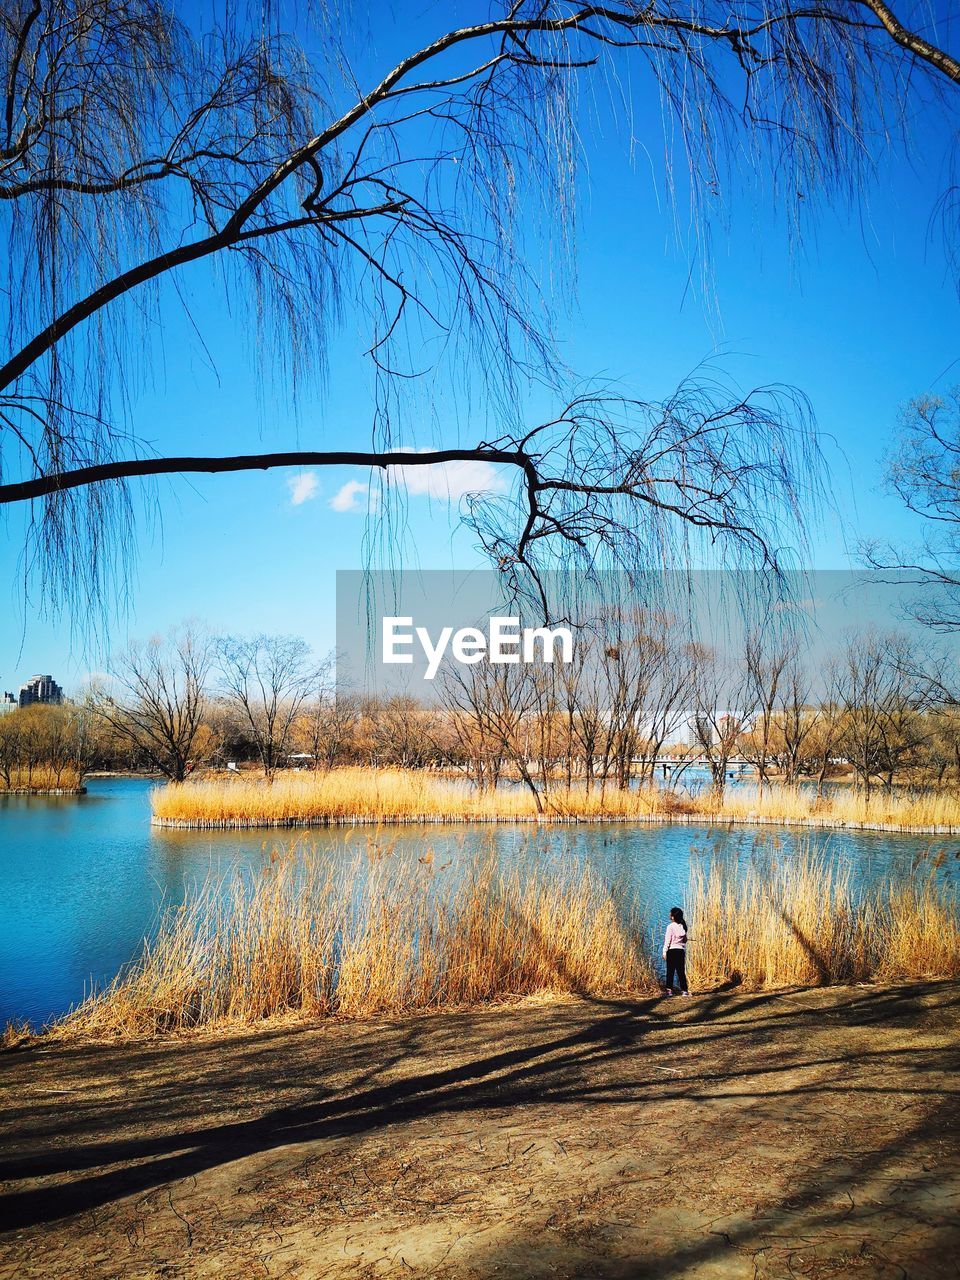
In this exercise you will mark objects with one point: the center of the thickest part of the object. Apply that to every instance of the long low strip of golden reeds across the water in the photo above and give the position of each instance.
(358, 796)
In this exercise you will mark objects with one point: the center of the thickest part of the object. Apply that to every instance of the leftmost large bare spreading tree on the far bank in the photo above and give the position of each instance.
(158, 700)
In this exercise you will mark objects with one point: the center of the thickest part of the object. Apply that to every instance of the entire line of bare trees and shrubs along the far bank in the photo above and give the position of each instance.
(637, 692)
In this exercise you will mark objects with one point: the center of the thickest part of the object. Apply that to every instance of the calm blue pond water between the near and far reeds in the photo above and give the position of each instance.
(84, 879)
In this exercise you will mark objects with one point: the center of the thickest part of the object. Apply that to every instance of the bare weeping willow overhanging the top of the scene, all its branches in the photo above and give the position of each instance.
(132, 152)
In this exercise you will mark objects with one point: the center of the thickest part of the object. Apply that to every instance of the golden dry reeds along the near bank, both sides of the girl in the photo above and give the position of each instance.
(377, 938)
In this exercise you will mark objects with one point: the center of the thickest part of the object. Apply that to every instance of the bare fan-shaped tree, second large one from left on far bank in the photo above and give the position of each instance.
(267, 680)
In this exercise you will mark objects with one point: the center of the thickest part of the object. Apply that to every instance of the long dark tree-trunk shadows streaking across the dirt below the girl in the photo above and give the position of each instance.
(615, 1039)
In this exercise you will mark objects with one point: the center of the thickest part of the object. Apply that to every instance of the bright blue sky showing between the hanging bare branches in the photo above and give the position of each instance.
(862, 319)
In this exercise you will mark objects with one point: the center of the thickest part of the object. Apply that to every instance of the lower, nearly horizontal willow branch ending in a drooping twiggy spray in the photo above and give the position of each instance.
(609, 477)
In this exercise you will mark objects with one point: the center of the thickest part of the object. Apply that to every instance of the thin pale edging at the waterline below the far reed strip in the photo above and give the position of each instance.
(687, 820)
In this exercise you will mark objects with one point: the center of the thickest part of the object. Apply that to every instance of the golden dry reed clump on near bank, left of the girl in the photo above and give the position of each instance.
(362, 941)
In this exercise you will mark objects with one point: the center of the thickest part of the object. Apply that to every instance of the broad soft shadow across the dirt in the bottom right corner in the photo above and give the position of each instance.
(863, 1217)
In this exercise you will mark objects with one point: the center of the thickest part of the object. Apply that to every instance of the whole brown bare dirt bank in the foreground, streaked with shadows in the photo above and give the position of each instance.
(803, 1133)
